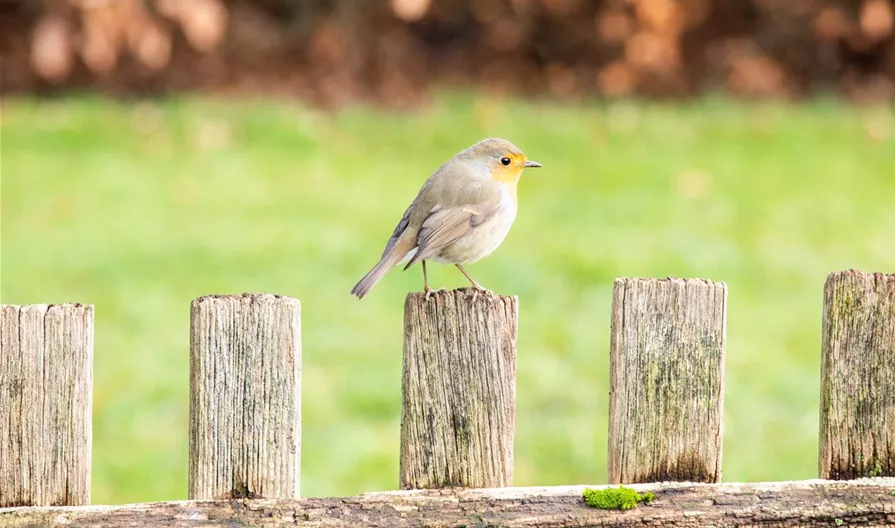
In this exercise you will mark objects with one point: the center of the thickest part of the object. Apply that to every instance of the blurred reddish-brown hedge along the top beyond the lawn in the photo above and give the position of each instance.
(330, 51)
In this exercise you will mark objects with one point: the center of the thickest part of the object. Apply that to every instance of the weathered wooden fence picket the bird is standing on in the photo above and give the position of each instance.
(459, 390)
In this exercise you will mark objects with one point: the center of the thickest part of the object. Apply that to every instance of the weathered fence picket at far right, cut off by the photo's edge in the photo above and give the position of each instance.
(857, 409)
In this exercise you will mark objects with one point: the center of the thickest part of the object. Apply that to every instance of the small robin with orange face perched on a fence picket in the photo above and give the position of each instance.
(461, 214)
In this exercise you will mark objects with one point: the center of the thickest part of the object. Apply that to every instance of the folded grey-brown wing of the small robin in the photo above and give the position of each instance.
(444, 225)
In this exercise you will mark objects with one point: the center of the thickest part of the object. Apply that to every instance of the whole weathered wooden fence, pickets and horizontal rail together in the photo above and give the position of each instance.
(667, 355)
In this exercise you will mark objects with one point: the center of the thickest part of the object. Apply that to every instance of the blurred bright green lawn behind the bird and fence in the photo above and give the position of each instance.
(139, 208)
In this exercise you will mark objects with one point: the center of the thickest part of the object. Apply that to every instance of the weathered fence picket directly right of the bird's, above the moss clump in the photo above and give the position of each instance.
(666, 380)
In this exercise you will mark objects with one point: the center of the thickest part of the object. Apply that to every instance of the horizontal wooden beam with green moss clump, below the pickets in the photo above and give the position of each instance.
(862, 502)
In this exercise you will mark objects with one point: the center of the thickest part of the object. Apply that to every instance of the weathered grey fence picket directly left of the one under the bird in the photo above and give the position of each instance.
(245, 388)
